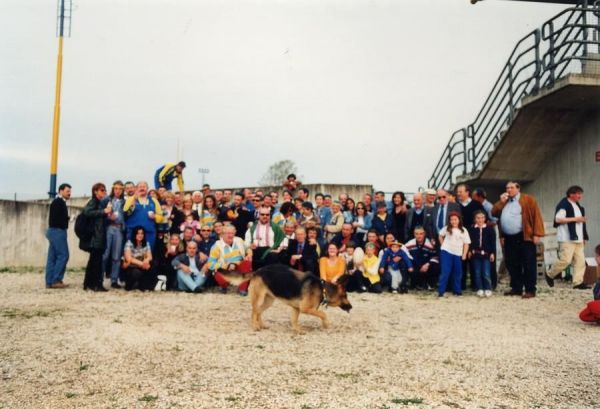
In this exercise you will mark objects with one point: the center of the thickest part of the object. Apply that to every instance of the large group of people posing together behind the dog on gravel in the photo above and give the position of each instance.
(157, 239)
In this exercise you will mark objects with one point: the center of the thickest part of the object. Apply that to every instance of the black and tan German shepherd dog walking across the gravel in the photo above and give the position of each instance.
(303, 291)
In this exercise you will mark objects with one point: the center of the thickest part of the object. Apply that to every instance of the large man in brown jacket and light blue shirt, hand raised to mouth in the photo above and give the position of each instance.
(521, 228)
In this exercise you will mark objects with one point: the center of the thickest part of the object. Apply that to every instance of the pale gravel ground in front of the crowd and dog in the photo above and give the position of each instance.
(75, 349)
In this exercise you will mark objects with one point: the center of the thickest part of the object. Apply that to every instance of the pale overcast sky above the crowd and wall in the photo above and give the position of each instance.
(352, 91)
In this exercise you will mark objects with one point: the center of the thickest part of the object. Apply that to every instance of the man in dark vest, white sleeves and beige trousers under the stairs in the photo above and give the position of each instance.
(571, 233)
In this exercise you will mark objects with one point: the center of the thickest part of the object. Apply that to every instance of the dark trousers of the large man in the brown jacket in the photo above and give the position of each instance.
(519, 256)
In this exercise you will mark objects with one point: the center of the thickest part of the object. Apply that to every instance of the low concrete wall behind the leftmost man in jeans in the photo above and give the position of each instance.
(22, 231)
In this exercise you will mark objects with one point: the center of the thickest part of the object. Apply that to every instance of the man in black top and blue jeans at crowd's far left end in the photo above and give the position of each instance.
(58, 251)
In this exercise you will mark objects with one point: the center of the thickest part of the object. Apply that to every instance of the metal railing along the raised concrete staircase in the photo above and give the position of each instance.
(563, 45)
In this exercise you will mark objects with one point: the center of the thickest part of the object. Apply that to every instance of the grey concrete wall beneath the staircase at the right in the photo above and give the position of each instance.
(575, 164)
